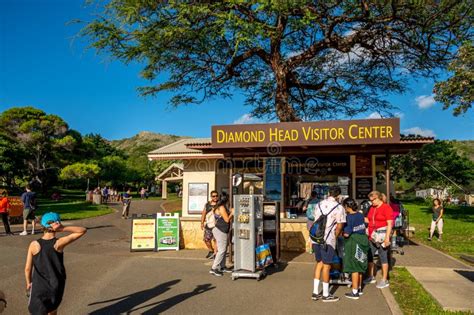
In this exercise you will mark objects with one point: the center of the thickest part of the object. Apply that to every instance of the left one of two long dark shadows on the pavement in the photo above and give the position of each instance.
(126, 303)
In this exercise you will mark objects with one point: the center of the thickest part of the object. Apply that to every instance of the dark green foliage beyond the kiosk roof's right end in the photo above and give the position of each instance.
(417, 166)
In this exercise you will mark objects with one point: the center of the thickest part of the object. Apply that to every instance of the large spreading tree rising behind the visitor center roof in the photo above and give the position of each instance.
(292, 59)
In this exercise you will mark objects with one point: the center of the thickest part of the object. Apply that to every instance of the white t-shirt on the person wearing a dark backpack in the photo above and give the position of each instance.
(338, 215)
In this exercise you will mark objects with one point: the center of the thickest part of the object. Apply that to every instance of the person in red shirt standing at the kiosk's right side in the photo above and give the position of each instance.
(379, 219)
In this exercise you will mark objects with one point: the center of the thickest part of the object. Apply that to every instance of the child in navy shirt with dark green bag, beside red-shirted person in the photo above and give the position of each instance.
(356, 247)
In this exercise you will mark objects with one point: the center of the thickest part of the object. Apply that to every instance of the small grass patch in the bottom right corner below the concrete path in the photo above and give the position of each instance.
(411, 296)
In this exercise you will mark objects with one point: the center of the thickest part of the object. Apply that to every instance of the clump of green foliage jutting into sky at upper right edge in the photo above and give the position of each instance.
(458, 90)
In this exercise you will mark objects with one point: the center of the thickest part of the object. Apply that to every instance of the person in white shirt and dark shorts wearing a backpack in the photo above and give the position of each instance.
(324, 254)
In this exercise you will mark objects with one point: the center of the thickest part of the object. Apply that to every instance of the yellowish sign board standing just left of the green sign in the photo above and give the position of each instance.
(143, 234)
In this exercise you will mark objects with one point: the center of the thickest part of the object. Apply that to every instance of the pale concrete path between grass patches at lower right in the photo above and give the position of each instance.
(448, 280)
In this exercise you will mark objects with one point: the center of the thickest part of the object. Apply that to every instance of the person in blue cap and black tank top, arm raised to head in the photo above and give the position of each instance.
(46, 285)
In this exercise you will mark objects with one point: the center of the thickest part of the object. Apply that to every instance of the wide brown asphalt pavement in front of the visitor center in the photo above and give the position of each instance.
(105, 278)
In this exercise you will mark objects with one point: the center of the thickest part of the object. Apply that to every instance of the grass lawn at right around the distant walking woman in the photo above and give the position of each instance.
(458, 231)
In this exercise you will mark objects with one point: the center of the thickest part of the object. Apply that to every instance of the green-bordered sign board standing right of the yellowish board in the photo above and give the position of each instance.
(167, 231)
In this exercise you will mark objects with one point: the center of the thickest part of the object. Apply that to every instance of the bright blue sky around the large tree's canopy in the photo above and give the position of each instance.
(42, 65)
